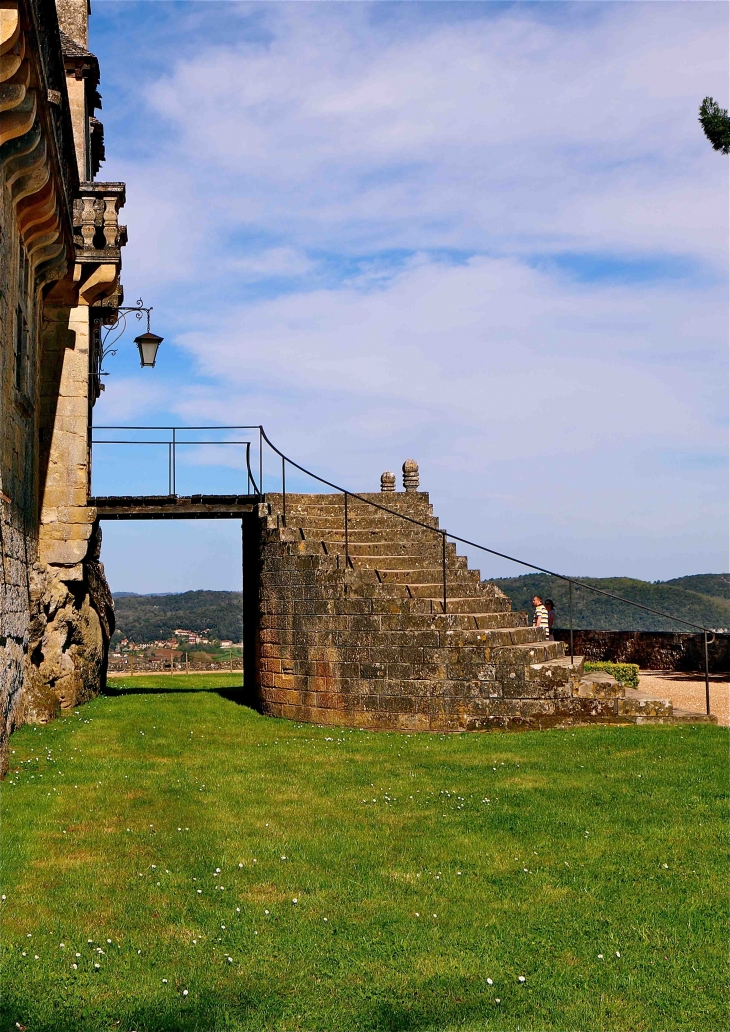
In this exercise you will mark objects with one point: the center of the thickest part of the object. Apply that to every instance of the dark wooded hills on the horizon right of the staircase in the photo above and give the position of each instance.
(595, 612)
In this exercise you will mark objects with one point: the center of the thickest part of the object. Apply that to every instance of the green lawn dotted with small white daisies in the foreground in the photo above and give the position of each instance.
(367, 882)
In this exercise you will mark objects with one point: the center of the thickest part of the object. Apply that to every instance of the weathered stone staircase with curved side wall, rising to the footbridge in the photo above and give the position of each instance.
(366, 641)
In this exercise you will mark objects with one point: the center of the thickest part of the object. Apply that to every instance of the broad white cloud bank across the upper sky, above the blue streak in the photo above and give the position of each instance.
(502, 132)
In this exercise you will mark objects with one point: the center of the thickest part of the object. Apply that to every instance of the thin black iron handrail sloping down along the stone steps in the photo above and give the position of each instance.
(472, 544)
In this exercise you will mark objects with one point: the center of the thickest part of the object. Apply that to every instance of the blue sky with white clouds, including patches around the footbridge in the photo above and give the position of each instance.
(488, 237)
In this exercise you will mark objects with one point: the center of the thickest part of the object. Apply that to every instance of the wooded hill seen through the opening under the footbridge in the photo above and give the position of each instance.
(151, 618)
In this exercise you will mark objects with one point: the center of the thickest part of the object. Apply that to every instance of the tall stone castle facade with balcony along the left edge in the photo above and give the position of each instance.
(60, 263)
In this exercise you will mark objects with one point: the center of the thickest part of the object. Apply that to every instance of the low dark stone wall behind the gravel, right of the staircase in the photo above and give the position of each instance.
(651, 650)
